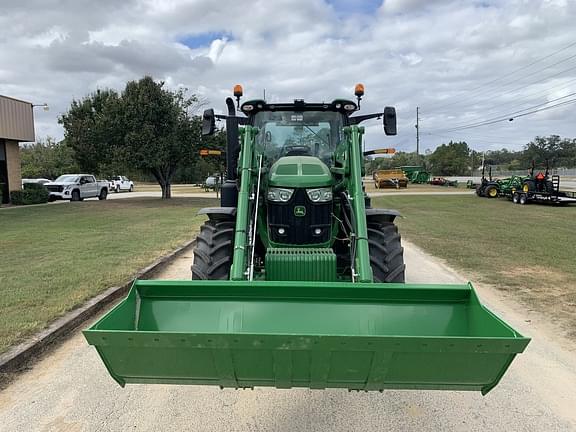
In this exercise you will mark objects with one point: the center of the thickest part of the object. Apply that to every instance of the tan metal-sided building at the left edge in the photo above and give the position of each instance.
(16, 125)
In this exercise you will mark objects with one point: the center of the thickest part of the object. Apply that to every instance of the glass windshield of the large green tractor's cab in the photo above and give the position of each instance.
(288, 133)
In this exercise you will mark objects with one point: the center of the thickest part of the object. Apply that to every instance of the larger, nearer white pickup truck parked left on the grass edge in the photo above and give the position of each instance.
(76, 187)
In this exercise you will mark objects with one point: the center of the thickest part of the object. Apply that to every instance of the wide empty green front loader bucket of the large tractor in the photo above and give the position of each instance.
(305, 334)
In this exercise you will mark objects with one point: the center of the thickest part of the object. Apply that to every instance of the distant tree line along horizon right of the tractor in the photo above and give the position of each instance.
(457, 158)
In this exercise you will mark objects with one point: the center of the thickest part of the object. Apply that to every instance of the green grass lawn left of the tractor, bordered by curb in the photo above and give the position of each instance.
(55, 257)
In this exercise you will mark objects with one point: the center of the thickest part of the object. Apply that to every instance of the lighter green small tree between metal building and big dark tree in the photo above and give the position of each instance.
(48, 159)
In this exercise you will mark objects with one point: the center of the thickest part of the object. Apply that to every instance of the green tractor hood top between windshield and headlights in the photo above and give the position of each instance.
(300, 172)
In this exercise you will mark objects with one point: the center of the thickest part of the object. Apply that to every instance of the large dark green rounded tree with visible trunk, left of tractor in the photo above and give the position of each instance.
(147, 127)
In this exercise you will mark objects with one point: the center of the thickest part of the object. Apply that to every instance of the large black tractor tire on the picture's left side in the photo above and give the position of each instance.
(214, 250)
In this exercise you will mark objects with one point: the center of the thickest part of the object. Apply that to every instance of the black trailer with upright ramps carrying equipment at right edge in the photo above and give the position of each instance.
(541, 188)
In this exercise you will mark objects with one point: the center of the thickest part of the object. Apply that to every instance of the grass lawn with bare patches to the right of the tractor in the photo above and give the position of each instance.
(528, 251)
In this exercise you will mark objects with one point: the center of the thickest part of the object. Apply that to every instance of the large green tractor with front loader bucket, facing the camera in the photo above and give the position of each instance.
(297, 281)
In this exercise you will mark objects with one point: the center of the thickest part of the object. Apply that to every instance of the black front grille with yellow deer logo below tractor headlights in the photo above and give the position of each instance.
(299, 230)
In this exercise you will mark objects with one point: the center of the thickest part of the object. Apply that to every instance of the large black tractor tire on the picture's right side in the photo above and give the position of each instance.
(386, 252)
